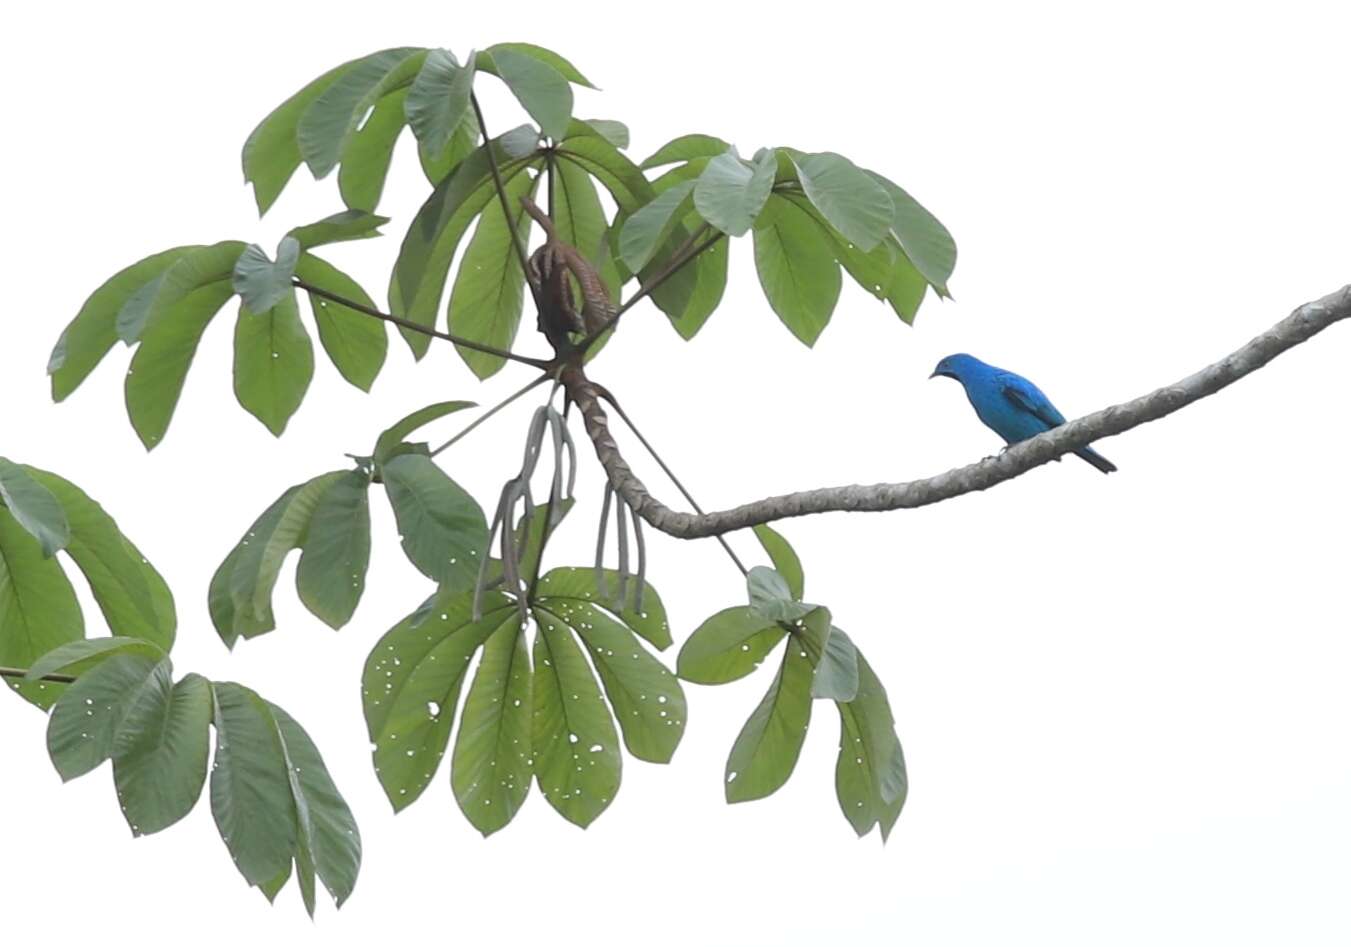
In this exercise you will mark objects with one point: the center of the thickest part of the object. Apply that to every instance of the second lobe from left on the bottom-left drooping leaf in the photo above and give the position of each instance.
(160, 783)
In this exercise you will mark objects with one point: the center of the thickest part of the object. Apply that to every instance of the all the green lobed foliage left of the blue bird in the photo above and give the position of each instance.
(551, 709)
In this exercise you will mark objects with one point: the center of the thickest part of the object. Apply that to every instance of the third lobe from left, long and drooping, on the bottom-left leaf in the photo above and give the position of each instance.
(251, 791)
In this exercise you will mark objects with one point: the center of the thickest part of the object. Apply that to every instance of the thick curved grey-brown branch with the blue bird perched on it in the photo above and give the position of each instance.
(1300, 326)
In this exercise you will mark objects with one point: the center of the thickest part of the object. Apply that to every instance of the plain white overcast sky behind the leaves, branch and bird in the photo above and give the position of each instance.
(1123, 700)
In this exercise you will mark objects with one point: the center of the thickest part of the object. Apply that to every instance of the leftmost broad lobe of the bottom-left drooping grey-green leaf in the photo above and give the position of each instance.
(87, 723)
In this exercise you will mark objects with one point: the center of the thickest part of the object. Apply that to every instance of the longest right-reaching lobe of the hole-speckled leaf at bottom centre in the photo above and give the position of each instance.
(646, 698)
